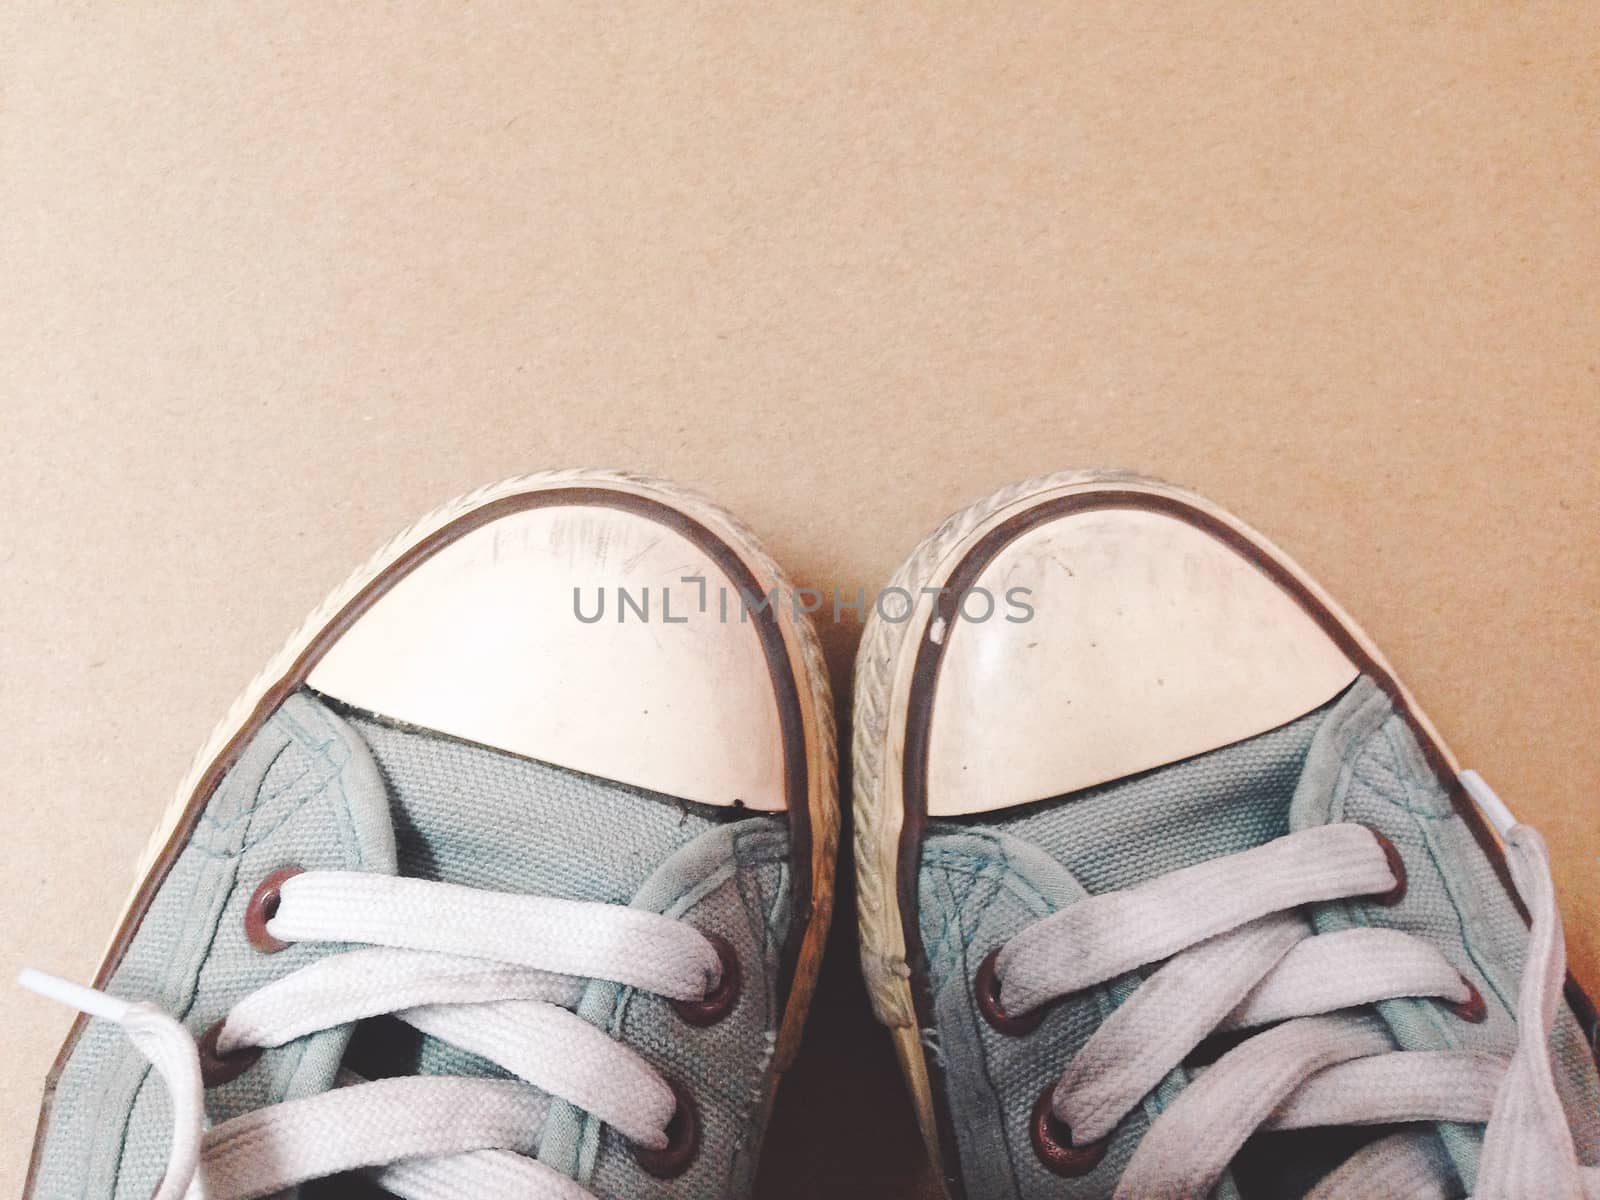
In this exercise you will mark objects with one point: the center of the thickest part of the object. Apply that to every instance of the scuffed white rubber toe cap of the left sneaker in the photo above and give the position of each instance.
(495, 639)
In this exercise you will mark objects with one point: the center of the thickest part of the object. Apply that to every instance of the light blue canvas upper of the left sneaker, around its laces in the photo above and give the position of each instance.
(324, 790)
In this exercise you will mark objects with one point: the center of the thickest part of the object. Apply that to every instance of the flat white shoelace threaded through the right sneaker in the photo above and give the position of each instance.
(1238, 959)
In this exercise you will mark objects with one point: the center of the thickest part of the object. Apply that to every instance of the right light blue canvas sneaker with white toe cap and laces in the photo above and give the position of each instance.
(1169, 889)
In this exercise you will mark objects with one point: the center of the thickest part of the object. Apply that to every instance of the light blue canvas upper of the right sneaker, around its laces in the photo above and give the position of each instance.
(985, 879)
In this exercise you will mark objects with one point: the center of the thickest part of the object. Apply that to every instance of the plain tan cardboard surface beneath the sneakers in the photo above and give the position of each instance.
(273, 284)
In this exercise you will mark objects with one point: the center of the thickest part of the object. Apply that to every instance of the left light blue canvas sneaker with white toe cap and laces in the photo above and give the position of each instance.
(508, 878)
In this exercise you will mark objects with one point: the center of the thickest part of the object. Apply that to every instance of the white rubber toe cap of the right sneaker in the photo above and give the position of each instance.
(1151, 641)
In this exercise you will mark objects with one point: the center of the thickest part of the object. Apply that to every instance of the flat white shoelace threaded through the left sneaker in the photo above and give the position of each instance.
(492, 974)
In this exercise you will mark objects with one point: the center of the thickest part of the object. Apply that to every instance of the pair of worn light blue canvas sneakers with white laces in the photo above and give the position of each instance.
(511, 876)
